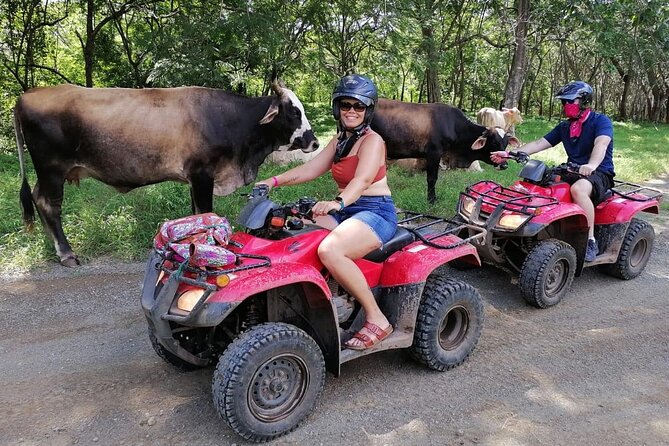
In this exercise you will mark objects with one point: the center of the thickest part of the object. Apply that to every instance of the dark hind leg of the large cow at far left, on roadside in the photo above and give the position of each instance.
(48, 196)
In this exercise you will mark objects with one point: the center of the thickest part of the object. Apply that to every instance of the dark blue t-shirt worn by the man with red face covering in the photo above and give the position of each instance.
(579, 149)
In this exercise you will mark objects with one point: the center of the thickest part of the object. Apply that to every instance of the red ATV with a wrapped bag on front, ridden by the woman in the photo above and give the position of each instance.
(271, 317)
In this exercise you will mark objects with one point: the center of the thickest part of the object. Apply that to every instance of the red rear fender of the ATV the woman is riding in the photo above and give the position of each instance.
(416, 262)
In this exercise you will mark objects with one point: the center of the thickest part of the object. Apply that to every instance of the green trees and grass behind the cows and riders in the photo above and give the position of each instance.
(467, 53)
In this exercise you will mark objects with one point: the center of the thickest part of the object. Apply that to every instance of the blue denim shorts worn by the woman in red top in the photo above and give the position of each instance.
(377, 212)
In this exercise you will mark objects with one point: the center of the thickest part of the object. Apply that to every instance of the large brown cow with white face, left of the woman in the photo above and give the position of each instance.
(211, 139)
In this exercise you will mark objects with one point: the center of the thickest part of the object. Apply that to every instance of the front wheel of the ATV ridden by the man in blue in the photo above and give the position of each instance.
(547, 273)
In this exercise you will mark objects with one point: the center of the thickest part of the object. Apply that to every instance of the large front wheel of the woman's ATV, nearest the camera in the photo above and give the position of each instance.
(268, 380)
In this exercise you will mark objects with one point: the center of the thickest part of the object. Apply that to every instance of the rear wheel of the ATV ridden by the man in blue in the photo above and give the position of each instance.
(634, 252)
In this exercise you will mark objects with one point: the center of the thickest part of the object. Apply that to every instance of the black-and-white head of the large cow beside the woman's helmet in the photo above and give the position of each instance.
(286, 115)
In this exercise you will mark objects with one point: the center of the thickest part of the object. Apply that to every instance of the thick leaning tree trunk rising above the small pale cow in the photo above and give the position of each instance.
(514, 82)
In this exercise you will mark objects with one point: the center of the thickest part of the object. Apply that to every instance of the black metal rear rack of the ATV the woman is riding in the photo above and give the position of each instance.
(431, 230)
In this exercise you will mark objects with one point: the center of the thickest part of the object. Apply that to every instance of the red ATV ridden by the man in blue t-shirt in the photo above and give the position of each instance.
(534, 229)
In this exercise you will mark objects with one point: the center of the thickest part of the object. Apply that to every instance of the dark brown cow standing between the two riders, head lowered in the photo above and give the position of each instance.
(435, 131)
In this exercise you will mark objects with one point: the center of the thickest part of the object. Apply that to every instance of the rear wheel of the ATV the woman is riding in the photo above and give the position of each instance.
(449, 323)
